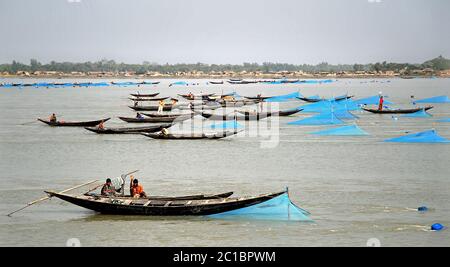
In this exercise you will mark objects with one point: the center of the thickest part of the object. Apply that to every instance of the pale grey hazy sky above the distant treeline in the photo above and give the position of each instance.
(224, 31)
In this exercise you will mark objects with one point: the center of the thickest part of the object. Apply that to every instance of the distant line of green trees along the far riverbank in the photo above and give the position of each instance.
(439, 63)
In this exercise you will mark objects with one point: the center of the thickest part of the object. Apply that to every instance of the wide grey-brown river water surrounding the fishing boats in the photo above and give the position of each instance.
(356, 188)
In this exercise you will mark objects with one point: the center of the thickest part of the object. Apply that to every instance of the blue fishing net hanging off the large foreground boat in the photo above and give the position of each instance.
(277, 209)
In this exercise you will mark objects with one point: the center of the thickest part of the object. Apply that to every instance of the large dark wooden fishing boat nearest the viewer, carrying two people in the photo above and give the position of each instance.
(151, 207)
